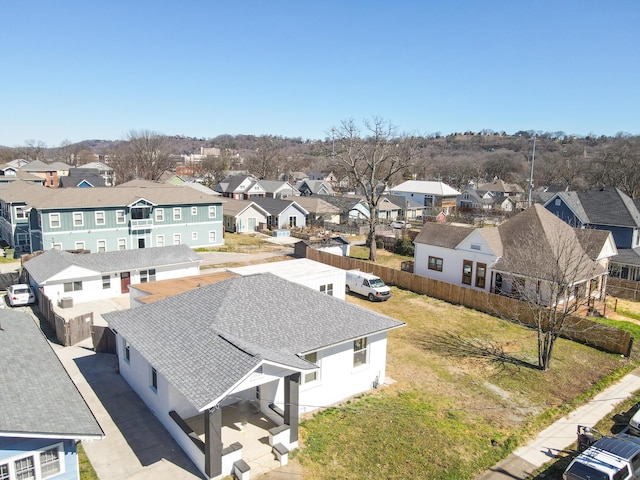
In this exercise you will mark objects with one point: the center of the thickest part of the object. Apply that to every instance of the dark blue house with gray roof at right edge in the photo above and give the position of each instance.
(609, 209)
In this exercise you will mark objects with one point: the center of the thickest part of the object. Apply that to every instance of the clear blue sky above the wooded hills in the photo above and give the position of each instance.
(80, 70)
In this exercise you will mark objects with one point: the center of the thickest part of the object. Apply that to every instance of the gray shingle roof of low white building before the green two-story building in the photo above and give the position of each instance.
(52, 262)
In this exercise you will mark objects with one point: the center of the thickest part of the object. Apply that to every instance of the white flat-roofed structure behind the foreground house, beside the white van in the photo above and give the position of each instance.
(316, 275)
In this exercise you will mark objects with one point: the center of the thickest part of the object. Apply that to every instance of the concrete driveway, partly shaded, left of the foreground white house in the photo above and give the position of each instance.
(136, 445)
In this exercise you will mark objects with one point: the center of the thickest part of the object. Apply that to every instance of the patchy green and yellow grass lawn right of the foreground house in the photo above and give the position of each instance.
(449, 415)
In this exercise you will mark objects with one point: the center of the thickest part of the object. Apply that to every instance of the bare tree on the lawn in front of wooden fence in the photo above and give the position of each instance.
(545, 265)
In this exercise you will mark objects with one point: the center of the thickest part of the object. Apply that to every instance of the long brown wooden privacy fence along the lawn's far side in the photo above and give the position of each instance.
(576, 328)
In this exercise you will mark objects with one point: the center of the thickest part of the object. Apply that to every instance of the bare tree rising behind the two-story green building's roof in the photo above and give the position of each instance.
(148, 154)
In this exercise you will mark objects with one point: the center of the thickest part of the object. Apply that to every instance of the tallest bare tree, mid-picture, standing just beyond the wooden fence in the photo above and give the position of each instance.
(371, 161)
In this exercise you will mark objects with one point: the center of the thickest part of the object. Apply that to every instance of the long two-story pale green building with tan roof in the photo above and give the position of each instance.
(134, 215)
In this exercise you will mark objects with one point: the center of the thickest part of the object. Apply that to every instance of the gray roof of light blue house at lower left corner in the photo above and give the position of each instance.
(37, 396)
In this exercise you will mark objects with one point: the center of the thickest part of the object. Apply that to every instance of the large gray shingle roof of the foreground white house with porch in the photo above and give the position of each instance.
(221, 332)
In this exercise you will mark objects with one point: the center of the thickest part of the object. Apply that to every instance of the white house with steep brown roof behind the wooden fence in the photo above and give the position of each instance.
(519, 254)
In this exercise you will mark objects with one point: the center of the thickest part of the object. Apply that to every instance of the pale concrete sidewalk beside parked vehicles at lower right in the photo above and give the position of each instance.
(559, 436)
